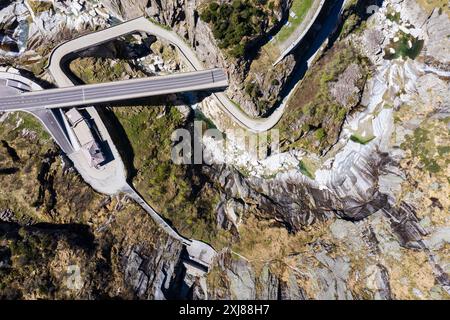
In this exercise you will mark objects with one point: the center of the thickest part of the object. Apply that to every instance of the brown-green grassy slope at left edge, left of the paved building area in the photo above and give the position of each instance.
(36, 188)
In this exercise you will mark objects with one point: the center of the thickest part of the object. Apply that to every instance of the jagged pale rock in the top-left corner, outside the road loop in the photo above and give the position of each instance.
(26, 36)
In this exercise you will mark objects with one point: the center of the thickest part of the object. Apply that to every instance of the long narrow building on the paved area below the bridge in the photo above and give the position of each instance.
(85, 136)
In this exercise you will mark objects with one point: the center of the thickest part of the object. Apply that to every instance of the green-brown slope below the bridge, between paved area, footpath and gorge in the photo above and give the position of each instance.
(178, 192)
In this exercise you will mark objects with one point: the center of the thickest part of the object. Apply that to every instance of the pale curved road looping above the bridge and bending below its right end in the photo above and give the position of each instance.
(66, 49)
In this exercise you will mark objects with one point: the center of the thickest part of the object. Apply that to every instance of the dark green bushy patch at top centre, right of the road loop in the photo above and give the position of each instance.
(235, 25)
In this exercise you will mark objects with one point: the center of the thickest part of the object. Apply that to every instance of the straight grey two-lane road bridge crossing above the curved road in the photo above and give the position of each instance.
(113, 91)
